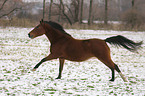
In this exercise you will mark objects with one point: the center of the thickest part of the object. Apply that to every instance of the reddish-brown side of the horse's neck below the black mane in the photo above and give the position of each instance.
(53, 36)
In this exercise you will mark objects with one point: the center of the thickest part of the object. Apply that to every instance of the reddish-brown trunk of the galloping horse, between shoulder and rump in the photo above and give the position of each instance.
(80, 50)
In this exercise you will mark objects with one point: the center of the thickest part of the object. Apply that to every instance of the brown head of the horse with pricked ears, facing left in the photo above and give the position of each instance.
(37, 31)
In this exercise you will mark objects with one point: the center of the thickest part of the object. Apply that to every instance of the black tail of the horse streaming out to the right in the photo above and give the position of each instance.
(124, 42)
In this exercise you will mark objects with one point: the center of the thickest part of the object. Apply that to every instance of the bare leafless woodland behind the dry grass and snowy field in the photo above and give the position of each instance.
(129, 12)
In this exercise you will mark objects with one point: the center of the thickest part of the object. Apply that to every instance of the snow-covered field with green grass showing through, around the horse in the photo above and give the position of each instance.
(19, 54)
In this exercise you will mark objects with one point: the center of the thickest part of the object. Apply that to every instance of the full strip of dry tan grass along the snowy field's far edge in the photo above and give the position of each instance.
(15, 22)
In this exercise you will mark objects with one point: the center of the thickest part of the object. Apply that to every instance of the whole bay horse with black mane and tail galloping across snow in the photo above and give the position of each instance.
(65, 47)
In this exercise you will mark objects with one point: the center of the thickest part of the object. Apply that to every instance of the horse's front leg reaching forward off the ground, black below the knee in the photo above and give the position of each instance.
(49, 57)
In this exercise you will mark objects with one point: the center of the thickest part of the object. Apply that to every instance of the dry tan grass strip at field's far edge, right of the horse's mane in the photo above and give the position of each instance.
(101, 26)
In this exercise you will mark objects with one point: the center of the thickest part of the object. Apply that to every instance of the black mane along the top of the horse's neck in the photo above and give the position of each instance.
(56, 26)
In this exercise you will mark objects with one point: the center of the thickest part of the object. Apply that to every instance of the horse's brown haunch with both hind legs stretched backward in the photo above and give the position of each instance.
(103, 54)
